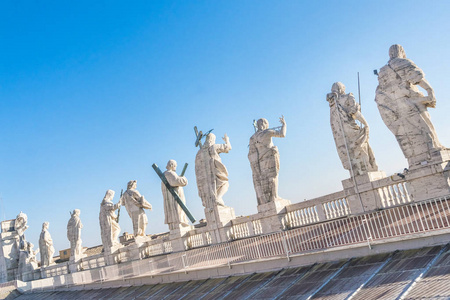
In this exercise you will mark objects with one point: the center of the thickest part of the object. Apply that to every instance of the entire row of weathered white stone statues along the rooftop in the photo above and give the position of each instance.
(403, 109)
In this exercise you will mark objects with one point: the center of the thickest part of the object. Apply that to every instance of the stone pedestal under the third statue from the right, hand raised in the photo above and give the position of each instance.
(271, 215)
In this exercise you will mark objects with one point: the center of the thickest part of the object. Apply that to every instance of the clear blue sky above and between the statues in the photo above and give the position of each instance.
(93, 92)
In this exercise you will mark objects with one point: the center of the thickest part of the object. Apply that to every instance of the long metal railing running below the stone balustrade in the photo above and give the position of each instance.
(393, 222)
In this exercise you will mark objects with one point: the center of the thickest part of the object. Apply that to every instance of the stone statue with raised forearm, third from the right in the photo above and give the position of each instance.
(265, 160)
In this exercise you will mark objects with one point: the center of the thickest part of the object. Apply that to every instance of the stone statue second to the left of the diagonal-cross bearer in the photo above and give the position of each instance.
(109, 226)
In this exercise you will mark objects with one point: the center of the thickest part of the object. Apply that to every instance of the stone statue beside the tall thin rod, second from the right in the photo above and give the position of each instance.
(352, 141)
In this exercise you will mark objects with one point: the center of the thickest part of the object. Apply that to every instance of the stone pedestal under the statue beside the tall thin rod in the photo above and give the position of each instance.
(364, 197)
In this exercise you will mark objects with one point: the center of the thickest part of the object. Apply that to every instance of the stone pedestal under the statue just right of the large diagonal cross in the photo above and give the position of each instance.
(218, 221)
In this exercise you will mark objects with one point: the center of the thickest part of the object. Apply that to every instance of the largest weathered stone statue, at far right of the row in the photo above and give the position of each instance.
(403, 107)
